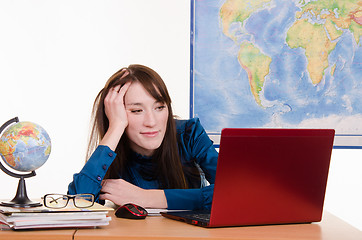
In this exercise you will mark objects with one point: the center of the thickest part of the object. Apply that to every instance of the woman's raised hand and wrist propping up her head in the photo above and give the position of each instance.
(116, 114)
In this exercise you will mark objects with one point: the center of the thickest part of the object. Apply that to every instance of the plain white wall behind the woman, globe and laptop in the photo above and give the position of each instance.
(56, 55)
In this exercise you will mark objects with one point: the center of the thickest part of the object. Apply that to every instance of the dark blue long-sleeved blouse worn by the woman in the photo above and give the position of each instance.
(194, 146)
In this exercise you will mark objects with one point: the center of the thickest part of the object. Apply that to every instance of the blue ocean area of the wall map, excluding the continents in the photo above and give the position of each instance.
(222, 95)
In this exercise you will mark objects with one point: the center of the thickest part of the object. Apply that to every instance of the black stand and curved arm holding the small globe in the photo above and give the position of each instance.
(21, 199)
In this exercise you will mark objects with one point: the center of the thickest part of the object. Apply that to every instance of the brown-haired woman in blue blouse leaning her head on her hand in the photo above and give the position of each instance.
(142, 155)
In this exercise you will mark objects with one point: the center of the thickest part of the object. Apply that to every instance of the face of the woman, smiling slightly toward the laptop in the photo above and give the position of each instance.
(147, 120)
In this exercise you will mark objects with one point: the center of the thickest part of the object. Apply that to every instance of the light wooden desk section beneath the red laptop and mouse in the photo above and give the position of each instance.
(157, 227)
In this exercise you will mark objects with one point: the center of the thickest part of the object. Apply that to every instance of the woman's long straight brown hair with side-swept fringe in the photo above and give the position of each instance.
(169, 170)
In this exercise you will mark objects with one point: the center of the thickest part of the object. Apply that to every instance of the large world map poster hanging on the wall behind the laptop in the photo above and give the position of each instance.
(278, 64)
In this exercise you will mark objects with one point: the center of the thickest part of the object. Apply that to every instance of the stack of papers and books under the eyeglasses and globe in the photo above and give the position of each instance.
(43, 217)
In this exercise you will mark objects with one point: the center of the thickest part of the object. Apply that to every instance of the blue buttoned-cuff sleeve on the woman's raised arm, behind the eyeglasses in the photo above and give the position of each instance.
(89, 179)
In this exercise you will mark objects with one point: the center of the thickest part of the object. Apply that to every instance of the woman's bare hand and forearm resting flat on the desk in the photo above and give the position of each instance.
(121, 192)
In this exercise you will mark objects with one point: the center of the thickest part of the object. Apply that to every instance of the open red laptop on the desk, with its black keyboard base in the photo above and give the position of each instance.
(267, 176)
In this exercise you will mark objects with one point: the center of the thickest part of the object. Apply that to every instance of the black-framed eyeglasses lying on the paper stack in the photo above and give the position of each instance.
(53, 200)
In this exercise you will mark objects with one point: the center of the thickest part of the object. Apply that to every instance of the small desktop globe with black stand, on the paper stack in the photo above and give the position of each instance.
(24, 147)
